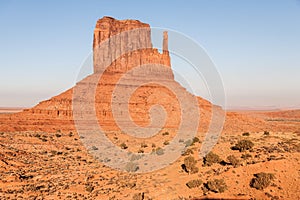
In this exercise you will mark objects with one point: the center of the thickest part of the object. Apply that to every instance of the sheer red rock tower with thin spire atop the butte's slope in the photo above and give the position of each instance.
(130, 39)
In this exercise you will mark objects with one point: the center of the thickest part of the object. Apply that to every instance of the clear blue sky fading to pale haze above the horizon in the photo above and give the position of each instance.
(254, 44)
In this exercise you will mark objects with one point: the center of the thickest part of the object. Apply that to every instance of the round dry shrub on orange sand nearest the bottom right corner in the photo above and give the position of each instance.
(262, 180)
